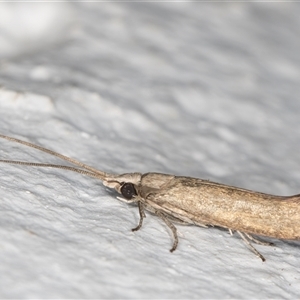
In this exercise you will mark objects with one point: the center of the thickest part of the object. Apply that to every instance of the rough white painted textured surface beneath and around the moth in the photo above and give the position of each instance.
(198, 89)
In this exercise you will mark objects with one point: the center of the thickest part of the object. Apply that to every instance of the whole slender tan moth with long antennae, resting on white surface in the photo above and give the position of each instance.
(193, 201)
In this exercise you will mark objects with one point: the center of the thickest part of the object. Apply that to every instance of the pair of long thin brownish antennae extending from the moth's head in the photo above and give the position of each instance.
(101, 175)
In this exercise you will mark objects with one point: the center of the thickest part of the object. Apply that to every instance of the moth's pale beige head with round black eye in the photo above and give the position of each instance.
(125, 184)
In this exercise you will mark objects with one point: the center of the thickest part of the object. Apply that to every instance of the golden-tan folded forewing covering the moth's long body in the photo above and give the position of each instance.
(209, 203)
